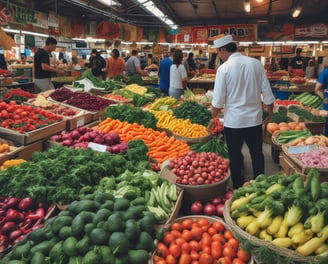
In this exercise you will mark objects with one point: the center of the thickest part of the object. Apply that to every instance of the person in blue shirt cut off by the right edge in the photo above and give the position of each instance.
(321, 89)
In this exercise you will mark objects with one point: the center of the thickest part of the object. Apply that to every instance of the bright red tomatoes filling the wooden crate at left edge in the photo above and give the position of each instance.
(24, 118)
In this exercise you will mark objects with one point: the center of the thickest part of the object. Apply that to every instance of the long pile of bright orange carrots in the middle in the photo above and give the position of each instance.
(161, 147)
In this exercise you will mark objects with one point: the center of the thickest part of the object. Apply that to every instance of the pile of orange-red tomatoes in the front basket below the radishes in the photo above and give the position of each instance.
(199, 241)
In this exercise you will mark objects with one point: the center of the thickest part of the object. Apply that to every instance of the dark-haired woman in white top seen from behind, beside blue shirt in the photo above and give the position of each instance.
(178, 75)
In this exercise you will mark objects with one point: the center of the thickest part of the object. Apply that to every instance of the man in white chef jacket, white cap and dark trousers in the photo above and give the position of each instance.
(240, 83)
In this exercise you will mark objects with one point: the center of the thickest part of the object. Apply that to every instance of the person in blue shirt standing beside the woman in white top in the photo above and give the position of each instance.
(164, 72)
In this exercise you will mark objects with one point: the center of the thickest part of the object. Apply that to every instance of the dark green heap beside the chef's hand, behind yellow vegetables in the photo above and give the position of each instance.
(195, 112)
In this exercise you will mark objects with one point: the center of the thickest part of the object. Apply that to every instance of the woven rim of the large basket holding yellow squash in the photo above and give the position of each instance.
(260, 242)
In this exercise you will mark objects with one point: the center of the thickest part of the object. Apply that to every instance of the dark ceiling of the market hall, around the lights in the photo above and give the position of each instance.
(186, 12)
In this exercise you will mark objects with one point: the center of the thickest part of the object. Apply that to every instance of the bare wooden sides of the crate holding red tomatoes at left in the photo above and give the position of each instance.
(35, 135)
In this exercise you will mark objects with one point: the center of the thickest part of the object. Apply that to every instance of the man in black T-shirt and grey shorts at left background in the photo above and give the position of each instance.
(42, 68)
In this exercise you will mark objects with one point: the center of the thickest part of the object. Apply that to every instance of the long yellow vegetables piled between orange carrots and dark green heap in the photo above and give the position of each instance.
(178, 126)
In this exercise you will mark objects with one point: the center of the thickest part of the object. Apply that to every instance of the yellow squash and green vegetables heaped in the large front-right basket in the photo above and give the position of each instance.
(285, 211)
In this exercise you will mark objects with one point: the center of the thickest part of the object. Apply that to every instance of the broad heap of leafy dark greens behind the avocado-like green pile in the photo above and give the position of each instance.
(45, 181)
